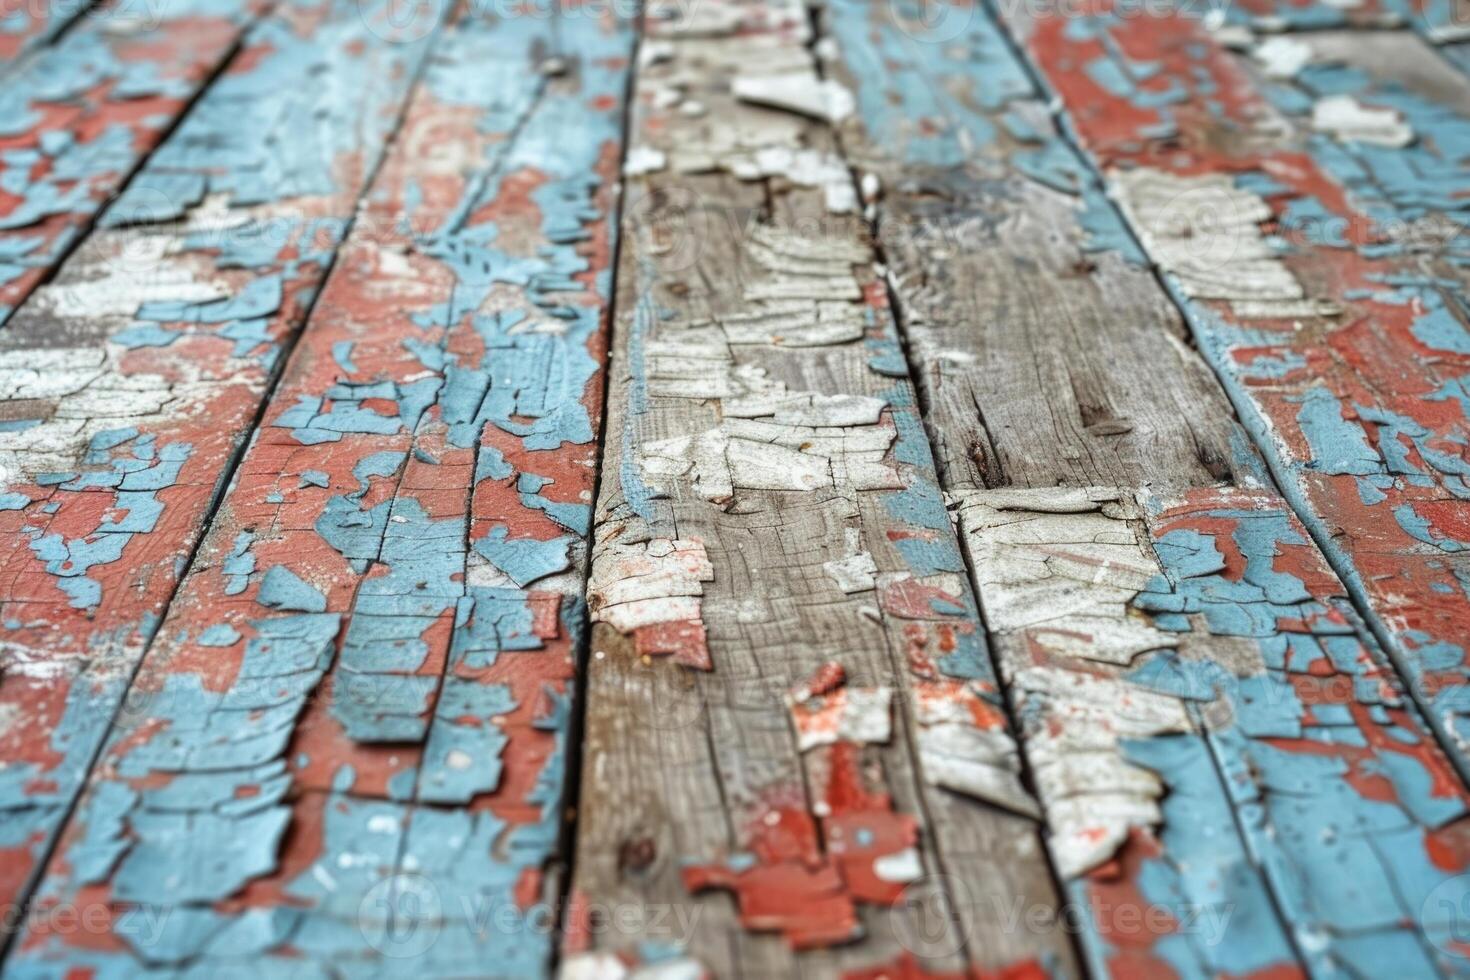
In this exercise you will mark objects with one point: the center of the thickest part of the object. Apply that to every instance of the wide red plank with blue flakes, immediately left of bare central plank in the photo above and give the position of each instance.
(359, 703)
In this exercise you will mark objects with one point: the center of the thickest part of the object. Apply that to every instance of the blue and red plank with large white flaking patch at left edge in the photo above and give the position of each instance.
(133, 380)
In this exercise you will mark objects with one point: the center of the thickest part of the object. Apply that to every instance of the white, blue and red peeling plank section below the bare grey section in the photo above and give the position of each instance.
(1256, 674)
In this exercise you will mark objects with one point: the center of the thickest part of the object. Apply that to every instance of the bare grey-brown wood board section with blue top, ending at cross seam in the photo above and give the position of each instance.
(1022, 295)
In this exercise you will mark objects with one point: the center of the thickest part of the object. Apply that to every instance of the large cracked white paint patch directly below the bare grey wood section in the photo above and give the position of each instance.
(1058, 572)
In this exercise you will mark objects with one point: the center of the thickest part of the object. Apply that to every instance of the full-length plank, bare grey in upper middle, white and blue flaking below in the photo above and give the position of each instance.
(1186, 665)
